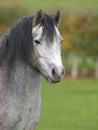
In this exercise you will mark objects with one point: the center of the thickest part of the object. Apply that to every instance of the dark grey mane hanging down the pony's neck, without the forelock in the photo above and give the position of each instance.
(17, 43)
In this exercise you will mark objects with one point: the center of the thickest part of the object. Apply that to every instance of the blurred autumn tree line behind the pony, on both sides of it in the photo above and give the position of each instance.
(80, 33)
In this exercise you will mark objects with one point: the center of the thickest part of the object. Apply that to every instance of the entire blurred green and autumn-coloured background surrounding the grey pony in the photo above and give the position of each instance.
(73, 103)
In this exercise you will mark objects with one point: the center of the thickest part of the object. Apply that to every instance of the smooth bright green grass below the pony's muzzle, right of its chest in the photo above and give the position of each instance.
(70, 105)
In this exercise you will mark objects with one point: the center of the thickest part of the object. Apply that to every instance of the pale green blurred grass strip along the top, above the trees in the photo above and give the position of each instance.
(53, 4)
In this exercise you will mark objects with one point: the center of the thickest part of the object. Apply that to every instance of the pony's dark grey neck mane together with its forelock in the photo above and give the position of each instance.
(17, 44)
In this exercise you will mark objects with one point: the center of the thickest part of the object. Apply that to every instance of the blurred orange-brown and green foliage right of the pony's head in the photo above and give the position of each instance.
(80, 31)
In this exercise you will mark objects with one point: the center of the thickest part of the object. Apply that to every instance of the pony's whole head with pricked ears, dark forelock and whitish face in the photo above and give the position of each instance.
(47, 45)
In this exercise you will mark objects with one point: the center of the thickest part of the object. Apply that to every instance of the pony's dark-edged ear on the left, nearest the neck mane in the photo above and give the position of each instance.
(37, 18)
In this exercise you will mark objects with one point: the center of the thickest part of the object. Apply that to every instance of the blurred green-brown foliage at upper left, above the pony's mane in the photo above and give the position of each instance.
(10, 15)
